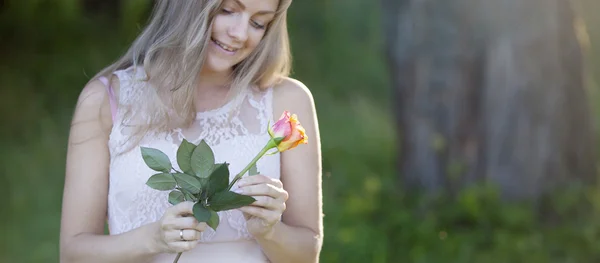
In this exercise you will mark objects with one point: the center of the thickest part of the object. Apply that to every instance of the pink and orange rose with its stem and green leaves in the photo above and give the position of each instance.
(205, 182)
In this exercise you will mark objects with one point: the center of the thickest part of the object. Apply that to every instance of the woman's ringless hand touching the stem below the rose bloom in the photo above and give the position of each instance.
(270, 197)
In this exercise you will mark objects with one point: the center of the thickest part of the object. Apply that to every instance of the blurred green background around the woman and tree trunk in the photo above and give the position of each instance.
(50, 49)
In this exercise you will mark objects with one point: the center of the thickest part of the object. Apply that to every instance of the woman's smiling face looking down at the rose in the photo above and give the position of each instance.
(237, 30)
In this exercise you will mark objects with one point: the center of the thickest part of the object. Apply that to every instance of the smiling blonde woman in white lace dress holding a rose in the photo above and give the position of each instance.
(201, 70)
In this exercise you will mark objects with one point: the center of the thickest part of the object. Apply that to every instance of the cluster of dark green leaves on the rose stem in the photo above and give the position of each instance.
(201, 180)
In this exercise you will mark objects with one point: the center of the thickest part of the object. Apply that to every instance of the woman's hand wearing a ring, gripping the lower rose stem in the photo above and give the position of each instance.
(178, 230)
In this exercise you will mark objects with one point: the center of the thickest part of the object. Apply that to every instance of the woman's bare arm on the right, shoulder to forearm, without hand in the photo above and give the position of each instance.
(299, 237)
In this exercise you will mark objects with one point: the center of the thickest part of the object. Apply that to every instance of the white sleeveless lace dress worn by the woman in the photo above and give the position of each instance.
(234, 137)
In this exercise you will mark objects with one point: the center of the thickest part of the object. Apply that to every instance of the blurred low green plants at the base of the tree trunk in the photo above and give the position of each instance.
(471, 227)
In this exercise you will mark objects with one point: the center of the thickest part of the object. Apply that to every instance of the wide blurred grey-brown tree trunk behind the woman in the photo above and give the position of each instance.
(489, 91)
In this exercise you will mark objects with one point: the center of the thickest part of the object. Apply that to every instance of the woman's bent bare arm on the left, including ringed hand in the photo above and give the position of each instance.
(84, 208)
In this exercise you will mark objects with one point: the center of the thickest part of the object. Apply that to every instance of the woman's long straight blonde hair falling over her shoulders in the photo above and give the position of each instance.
(172, 49)
